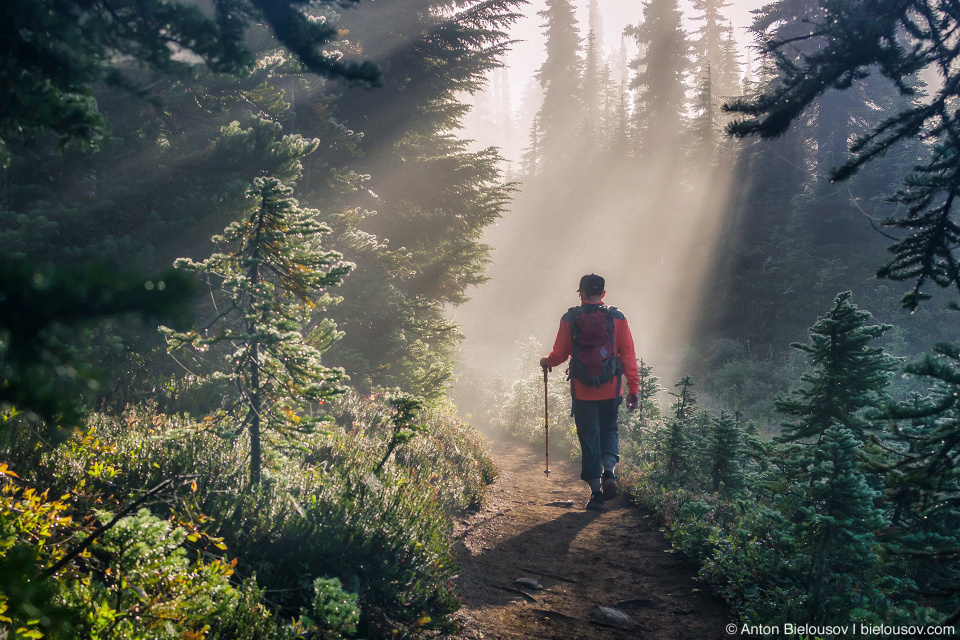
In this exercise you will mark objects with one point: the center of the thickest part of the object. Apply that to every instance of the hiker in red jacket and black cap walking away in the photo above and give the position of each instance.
(599, 341)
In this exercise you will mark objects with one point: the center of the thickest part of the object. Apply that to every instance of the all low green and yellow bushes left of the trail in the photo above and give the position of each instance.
(326, 510)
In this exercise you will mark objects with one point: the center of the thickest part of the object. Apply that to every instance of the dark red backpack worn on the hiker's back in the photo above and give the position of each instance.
(594, 360)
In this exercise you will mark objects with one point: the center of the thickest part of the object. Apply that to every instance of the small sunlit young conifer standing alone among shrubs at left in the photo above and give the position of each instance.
(271, 273)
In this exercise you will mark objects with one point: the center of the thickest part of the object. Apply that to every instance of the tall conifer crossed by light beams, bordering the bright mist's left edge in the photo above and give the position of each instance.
(432, 195)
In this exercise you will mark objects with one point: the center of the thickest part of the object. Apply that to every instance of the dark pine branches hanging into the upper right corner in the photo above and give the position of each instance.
(841, 43)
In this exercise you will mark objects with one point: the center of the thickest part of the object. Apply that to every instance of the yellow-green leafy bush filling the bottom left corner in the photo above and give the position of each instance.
(135, 581)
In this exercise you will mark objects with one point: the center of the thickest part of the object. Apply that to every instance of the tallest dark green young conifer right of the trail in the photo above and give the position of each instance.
(820, 484)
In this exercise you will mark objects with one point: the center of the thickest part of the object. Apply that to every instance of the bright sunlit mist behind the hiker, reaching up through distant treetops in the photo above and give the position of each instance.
(639, 203)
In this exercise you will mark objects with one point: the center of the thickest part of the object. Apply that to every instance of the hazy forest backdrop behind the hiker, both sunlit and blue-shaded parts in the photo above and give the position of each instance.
(720, 250)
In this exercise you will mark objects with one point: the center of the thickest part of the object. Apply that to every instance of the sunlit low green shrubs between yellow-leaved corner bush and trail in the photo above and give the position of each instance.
(321, 511)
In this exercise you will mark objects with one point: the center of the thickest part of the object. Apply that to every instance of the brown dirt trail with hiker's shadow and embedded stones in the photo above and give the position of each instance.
(583, 560)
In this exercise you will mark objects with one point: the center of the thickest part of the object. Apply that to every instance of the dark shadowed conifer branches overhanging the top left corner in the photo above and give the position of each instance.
(61, 50)
